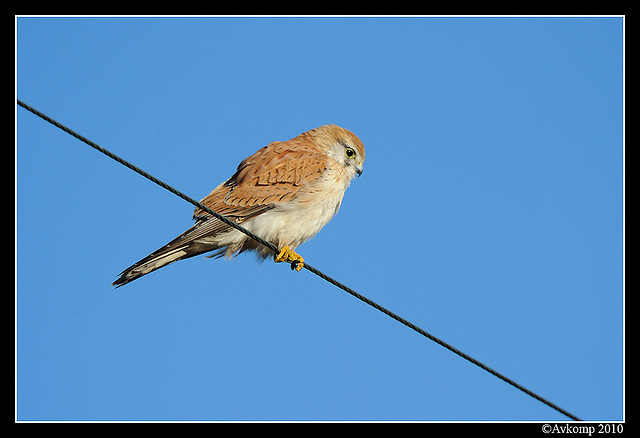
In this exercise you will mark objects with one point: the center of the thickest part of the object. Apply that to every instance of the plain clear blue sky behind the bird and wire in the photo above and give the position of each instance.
(489, 213)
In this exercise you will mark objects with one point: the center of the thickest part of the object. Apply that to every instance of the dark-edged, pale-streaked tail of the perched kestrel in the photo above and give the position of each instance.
(178, 249)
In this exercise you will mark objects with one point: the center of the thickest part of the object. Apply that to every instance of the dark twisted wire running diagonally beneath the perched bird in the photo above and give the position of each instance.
(306, 265)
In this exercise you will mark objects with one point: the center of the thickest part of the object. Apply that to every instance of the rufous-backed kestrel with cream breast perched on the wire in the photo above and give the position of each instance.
(285, 193)
